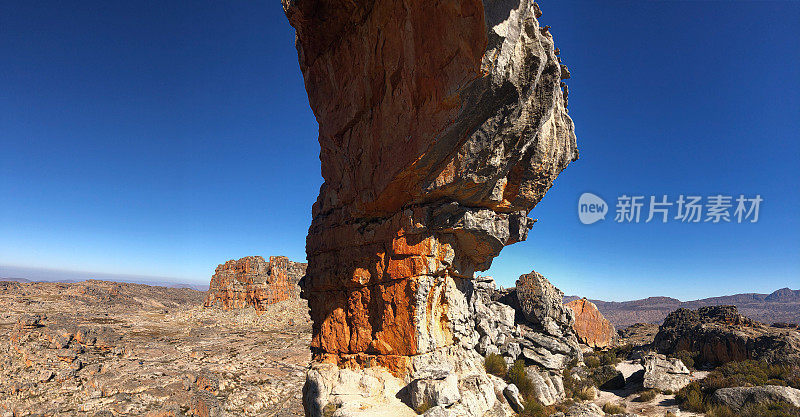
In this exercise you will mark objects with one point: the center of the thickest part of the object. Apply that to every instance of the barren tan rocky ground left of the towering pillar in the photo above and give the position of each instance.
(99, 348)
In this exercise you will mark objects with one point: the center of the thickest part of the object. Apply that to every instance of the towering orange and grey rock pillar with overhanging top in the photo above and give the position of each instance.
(441, 125)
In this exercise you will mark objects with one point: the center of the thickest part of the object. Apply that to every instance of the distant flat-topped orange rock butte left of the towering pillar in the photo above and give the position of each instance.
(251, 281)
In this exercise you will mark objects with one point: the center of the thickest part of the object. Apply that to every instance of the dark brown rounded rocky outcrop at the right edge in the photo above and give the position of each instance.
(720, 334)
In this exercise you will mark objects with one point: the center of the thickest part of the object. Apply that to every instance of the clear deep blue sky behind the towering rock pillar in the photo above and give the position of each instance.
(163, 138)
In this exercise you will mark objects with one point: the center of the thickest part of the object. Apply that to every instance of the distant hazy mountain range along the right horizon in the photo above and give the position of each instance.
(781, 306)
